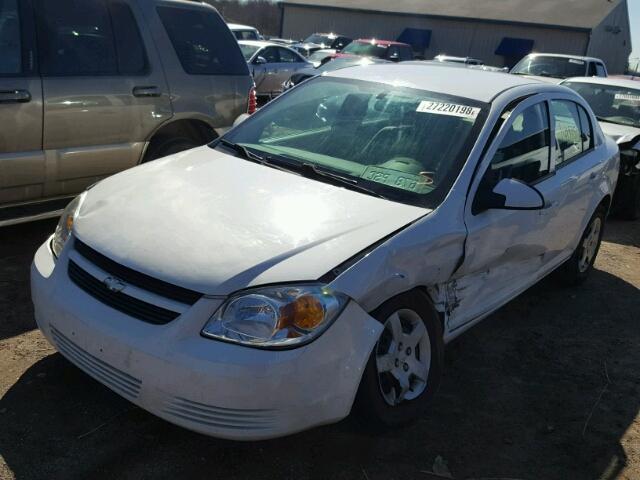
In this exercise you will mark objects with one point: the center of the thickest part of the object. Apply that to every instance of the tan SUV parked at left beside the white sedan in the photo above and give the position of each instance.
(92, 87)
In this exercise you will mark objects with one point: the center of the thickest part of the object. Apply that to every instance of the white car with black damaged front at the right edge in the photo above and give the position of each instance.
(616, 104)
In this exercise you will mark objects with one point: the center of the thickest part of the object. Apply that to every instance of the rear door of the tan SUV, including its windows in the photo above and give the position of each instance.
(103, 92)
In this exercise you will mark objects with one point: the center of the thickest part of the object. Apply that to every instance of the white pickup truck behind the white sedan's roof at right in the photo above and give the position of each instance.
(554, 67)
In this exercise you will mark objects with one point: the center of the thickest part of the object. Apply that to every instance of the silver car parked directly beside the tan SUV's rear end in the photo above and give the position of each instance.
(271, 64)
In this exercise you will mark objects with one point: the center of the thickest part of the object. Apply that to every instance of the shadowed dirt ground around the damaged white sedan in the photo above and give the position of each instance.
(548, 387)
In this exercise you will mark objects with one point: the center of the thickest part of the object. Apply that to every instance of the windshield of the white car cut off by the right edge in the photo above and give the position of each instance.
(610, 103)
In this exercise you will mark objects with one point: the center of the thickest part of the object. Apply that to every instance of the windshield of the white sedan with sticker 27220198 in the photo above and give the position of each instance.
(404, 144)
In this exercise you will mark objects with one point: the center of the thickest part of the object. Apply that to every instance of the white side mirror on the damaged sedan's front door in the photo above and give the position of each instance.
(508, 194)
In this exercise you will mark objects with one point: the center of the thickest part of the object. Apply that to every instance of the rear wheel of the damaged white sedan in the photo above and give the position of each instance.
(576, 270)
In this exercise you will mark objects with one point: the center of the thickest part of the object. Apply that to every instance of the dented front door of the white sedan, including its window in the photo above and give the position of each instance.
(506, 250)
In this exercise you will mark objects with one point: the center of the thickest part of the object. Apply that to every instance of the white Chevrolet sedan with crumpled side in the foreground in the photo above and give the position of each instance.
(318, 257)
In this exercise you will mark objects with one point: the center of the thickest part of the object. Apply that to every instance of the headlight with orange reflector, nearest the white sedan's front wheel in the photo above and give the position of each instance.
(276, 317)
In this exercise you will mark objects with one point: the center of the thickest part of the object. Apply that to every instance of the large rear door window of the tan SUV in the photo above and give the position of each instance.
(75, 38)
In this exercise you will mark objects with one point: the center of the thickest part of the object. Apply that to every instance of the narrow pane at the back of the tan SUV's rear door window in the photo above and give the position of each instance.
(132, 58)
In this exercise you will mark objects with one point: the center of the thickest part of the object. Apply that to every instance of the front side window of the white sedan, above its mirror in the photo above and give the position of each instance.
(525, 151)
